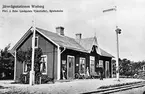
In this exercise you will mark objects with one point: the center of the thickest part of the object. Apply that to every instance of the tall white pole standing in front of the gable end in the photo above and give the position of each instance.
(32, 72)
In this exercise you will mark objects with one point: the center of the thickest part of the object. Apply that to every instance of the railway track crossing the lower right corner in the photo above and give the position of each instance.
(116, 89)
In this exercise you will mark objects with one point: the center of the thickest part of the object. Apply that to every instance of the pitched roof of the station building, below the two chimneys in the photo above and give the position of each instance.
(85, 44)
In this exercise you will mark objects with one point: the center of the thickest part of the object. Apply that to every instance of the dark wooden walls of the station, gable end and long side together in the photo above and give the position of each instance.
(50, 49)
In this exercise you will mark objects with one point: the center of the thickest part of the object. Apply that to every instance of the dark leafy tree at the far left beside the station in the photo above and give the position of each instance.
(6, 63)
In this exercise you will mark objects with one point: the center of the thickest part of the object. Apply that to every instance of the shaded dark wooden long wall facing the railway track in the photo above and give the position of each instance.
(77, 55)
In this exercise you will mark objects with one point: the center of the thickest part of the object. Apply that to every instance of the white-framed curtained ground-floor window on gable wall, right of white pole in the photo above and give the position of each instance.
(43, 66)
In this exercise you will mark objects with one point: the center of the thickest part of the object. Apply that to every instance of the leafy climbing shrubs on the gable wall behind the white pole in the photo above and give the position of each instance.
(25, 56)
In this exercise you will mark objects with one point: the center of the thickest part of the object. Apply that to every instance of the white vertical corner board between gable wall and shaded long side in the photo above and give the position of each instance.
(58, 63)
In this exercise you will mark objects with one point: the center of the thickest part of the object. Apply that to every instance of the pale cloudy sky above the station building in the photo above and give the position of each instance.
(82, 16)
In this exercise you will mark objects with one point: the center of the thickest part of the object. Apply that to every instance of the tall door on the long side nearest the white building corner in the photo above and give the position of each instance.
(70, 67)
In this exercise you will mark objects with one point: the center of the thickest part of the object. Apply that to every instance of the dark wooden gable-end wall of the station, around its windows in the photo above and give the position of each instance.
(48, 49)
